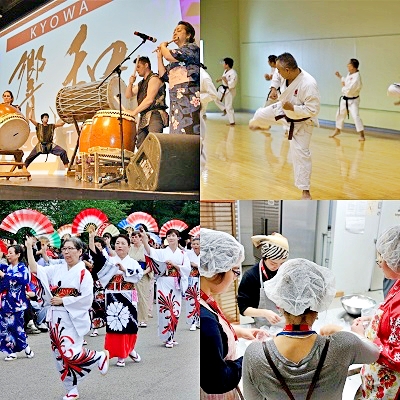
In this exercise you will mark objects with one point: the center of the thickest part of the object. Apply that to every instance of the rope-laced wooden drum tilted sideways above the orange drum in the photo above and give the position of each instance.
(81, 102)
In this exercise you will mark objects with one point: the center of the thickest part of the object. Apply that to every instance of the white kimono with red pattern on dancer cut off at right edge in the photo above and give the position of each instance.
(192, 294)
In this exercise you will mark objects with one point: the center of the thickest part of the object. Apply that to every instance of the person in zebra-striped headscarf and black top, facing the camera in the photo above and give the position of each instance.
(252, 300)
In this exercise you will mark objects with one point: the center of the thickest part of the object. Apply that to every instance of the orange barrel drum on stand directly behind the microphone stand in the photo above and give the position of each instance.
(105, 130)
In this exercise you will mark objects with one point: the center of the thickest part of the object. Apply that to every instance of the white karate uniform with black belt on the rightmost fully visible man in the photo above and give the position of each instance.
(352, 87)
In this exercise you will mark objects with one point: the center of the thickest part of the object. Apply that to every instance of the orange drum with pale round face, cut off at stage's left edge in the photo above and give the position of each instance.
(14, 128)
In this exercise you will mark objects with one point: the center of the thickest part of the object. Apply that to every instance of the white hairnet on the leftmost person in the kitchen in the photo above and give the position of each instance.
(219, 252)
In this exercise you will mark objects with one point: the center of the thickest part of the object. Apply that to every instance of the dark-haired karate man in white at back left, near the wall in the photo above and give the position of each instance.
(229, 80)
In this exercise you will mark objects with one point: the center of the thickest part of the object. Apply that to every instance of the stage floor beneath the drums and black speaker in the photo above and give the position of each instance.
(54, 187)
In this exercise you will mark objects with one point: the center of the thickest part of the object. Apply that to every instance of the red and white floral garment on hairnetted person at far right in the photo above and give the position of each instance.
(381, 379)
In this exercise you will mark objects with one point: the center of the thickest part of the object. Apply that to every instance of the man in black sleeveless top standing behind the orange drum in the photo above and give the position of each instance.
(150, 92)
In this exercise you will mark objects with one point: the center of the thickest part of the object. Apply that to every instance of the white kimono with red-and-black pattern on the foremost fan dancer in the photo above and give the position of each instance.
(70, 322)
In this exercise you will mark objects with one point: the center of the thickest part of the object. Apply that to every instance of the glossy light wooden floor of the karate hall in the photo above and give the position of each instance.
(245, 164)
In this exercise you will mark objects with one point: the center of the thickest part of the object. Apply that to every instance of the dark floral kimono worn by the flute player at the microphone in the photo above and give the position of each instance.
(184, 89)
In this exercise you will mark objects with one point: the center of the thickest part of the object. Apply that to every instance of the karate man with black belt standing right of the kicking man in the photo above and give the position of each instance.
(350, 101)
